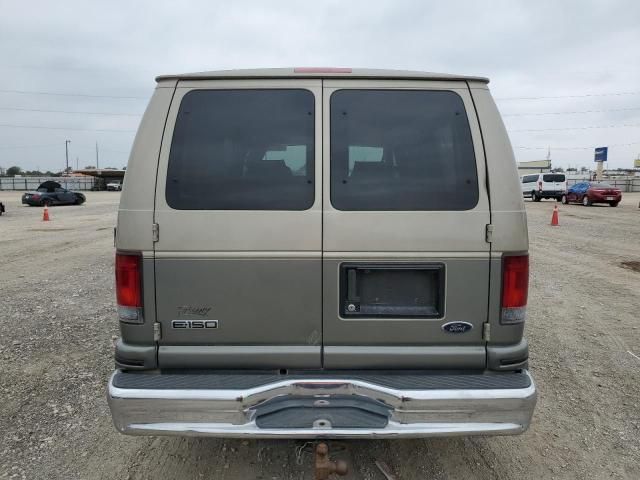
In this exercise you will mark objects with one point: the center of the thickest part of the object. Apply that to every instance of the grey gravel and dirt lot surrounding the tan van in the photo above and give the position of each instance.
(57, 326)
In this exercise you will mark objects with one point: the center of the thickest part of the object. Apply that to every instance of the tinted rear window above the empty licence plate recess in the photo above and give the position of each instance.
(401, 150)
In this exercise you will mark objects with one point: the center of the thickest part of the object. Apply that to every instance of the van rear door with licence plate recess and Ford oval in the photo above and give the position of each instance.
(405, 211)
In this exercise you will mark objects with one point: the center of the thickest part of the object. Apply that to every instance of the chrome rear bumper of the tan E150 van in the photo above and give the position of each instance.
(236, 412)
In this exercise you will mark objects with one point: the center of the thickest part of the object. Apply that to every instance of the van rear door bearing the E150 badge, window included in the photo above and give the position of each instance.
(238, 212)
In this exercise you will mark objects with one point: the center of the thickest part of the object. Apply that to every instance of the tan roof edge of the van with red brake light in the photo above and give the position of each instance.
(319, 72)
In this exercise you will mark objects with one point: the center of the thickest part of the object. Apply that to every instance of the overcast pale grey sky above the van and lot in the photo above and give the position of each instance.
(565, 74)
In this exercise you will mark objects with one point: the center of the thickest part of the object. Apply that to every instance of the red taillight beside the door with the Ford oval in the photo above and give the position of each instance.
(515, 288)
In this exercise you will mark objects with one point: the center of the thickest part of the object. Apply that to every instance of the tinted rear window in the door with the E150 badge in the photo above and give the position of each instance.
(243, 150)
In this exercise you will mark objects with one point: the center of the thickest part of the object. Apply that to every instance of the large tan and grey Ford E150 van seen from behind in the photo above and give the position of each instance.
(321, 253)
